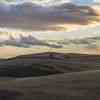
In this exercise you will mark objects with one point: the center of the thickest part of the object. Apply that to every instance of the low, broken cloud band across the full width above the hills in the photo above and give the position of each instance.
(30, 40)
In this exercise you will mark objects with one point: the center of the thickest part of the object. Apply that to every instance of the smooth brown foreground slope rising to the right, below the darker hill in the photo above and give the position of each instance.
(71, 86)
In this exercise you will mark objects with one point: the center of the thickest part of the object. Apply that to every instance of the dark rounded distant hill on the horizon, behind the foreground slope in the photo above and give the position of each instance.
(42, 64)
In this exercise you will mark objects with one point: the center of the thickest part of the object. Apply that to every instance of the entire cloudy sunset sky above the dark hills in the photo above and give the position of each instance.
(26, 25)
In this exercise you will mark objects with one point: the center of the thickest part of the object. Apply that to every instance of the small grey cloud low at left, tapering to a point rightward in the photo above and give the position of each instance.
(25, 41)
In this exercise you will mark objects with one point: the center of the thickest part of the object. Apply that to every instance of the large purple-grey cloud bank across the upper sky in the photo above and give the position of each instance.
(29, 16)
